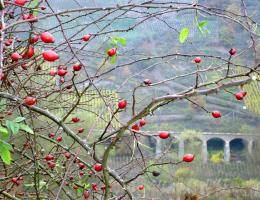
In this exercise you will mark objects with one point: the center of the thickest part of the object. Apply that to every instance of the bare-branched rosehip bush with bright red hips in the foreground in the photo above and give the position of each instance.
(55, 69)
